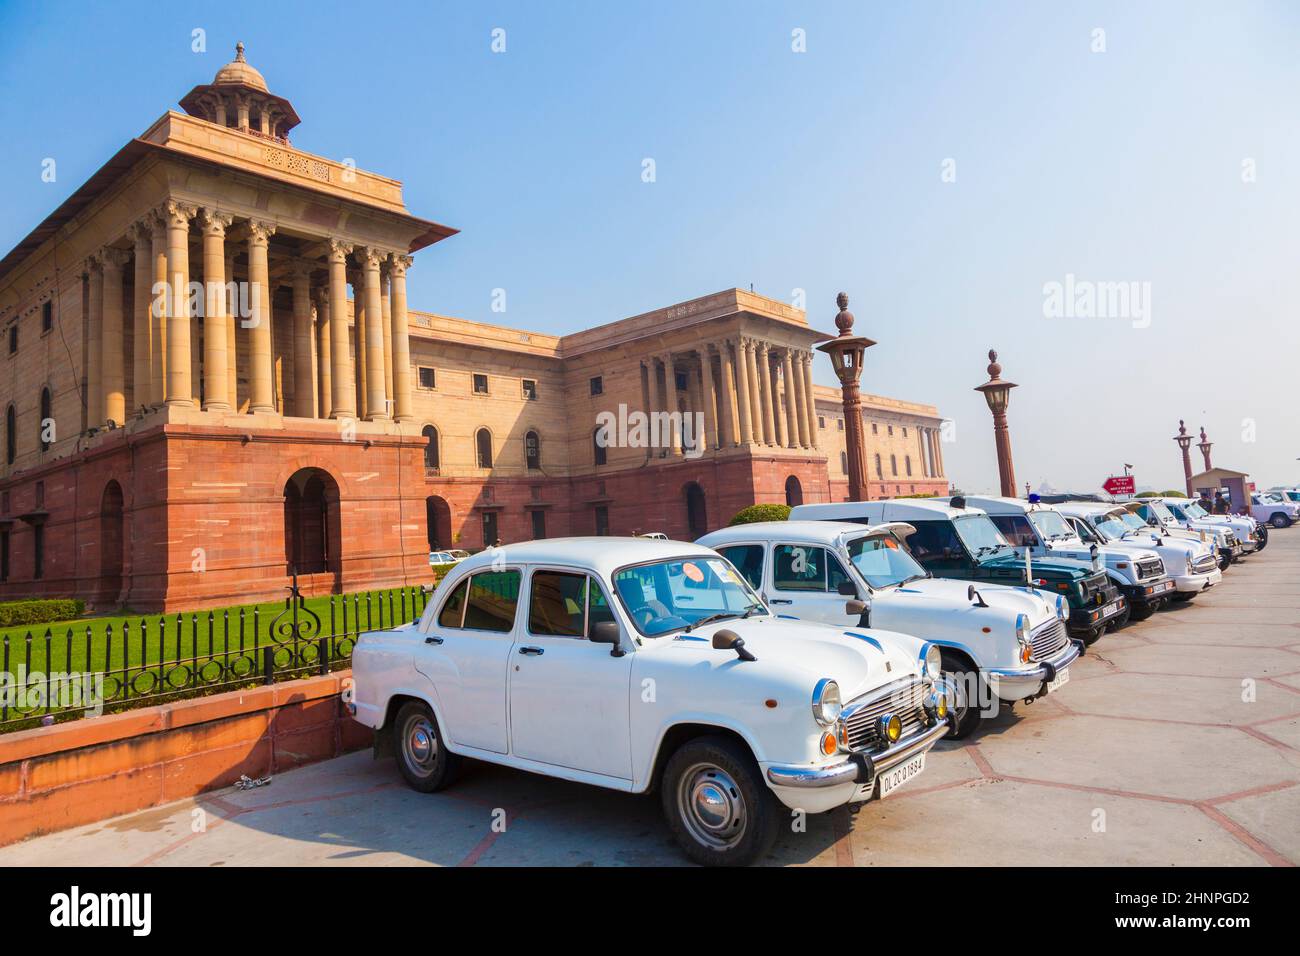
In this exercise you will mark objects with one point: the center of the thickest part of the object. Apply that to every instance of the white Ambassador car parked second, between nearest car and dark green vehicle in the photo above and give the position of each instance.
(996, 643)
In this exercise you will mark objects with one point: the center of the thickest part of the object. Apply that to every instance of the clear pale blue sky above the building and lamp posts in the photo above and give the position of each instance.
(817, 171)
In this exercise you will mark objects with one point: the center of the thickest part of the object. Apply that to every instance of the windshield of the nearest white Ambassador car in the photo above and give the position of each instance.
(681, 594)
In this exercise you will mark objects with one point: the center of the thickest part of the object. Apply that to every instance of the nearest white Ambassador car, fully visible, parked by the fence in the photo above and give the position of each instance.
(635, 665)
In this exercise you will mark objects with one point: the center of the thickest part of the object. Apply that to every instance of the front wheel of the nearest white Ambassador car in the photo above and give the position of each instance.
(718, 807)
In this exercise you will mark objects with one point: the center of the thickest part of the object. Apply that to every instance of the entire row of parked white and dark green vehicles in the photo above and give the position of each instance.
(775, 668)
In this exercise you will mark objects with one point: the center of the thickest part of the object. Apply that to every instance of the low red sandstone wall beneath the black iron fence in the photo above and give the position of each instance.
(70, 775)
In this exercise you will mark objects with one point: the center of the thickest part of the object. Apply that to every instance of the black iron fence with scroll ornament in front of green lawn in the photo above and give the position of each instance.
(86, 669)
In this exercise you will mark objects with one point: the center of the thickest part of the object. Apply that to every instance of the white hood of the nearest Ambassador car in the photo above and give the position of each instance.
(857, 659)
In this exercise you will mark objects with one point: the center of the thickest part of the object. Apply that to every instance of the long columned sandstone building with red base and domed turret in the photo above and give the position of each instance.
(215, 380)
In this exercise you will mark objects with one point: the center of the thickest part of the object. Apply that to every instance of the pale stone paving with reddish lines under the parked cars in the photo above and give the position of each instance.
(1176, 742)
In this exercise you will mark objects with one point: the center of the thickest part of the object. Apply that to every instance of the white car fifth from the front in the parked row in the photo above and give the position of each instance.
(1190, 564)
